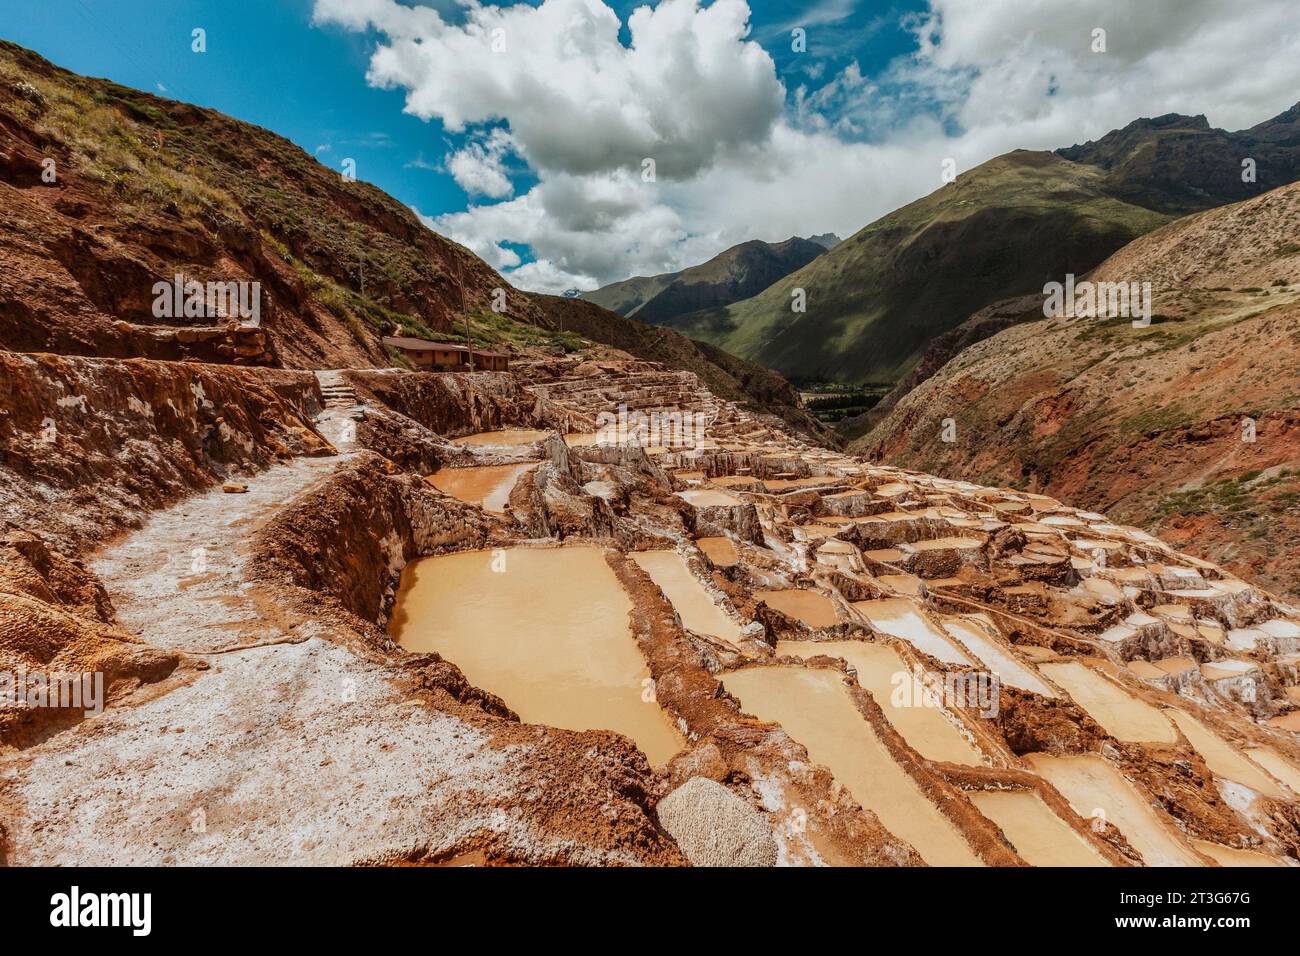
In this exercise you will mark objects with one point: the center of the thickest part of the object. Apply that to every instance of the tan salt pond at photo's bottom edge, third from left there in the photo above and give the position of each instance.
(1094, 786)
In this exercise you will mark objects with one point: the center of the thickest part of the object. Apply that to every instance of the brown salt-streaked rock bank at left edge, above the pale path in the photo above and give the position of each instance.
(89, 447)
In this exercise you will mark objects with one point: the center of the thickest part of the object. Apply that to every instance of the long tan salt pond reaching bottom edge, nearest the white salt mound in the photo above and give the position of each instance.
(814, 708)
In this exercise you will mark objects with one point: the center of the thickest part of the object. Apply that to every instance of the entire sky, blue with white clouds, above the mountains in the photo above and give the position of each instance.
(535, 159)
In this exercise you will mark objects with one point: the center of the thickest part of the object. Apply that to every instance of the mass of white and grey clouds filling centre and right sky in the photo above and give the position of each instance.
(738, 155)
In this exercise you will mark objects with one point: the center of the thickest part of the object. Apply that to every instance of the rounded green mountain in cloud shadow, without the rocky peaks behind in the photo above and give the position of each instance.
(878, 299)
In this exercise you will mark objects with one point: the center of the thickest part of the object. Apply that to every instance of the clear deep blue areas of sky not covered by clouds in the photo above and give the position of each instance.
(268, 64)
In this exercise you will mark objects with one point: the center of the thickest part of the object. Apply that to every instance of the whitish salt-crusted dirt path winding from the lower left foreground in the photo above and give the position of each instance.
(287, 749)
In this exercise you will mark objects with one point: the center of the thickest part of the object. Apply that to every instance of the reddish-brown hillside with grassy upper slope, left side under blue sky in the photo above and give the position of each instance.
(110, 191)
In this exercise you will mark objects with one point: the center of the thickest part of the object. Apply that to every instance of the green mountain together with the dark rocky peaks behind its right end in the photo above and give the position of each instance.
(1002, 231)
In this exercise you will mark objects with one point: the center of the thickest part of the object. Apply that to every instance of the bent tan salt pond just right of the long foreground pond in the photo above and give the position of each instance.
(882, 673)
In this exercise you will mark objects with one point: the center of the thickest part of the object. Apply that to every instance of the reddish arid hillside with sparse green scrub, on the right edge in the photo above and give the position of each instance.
(1190, 429)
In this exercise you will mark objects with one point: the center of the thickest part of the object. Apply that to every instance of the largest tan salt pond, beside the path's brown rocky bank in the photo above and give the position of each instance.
(548, 633)
